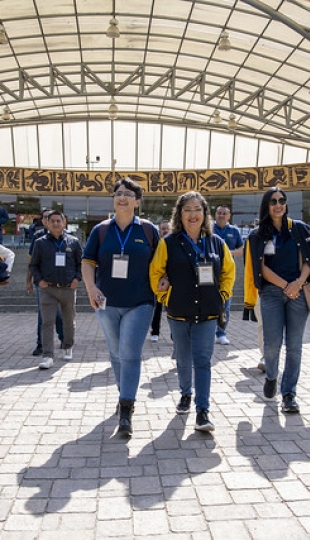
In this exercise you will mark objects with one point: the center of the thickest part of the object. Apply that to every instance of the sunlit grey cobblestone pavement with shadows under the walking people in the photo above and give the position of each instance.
(66, 473)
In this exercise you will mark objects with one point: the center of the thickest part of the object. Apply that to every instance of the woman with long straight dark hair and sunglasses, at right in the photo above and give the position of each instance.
(277, 264)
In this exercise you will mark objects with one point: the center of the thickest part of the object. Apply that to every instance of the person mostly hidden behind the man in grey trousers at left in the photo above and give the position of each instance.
(59, 329)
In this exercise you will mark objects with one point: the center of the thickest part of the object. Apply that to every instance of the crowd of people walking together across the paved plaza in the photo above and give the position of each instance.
(133, 270)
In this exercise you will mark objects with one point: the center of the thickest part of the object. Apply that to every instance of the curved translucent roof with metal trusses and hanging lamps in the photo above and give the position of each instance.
(166, 66)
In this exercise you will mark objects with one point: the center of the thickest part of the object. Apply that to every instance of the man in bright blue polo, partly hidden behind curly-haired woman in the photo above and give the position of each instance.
(232, 237)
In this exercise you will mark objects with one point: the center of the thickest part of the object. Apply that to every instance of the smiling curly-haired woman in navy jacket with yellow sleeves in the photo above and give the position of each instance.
(192, 273)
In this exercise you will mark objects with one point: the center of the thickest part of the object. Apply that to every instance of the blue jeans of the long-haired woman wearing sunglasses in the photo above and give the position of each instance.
(279, 315)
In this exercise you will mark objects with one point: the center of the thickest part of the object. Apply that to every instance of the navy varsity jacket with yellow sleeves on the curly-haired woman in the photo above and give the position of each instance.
(185, 298)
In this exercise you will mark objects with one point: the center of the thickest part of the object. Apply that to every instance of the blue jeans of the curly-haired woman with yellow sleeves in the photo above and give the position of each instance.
(194, 344)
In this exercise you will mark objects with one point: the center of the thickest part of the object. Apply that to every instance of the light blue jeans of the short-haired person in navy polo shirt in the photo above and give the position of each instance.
(125, 330)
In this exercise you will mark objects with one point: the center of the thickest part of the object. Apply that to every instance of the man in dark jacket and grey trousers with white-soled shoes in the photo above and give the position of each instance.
(56, 268)
